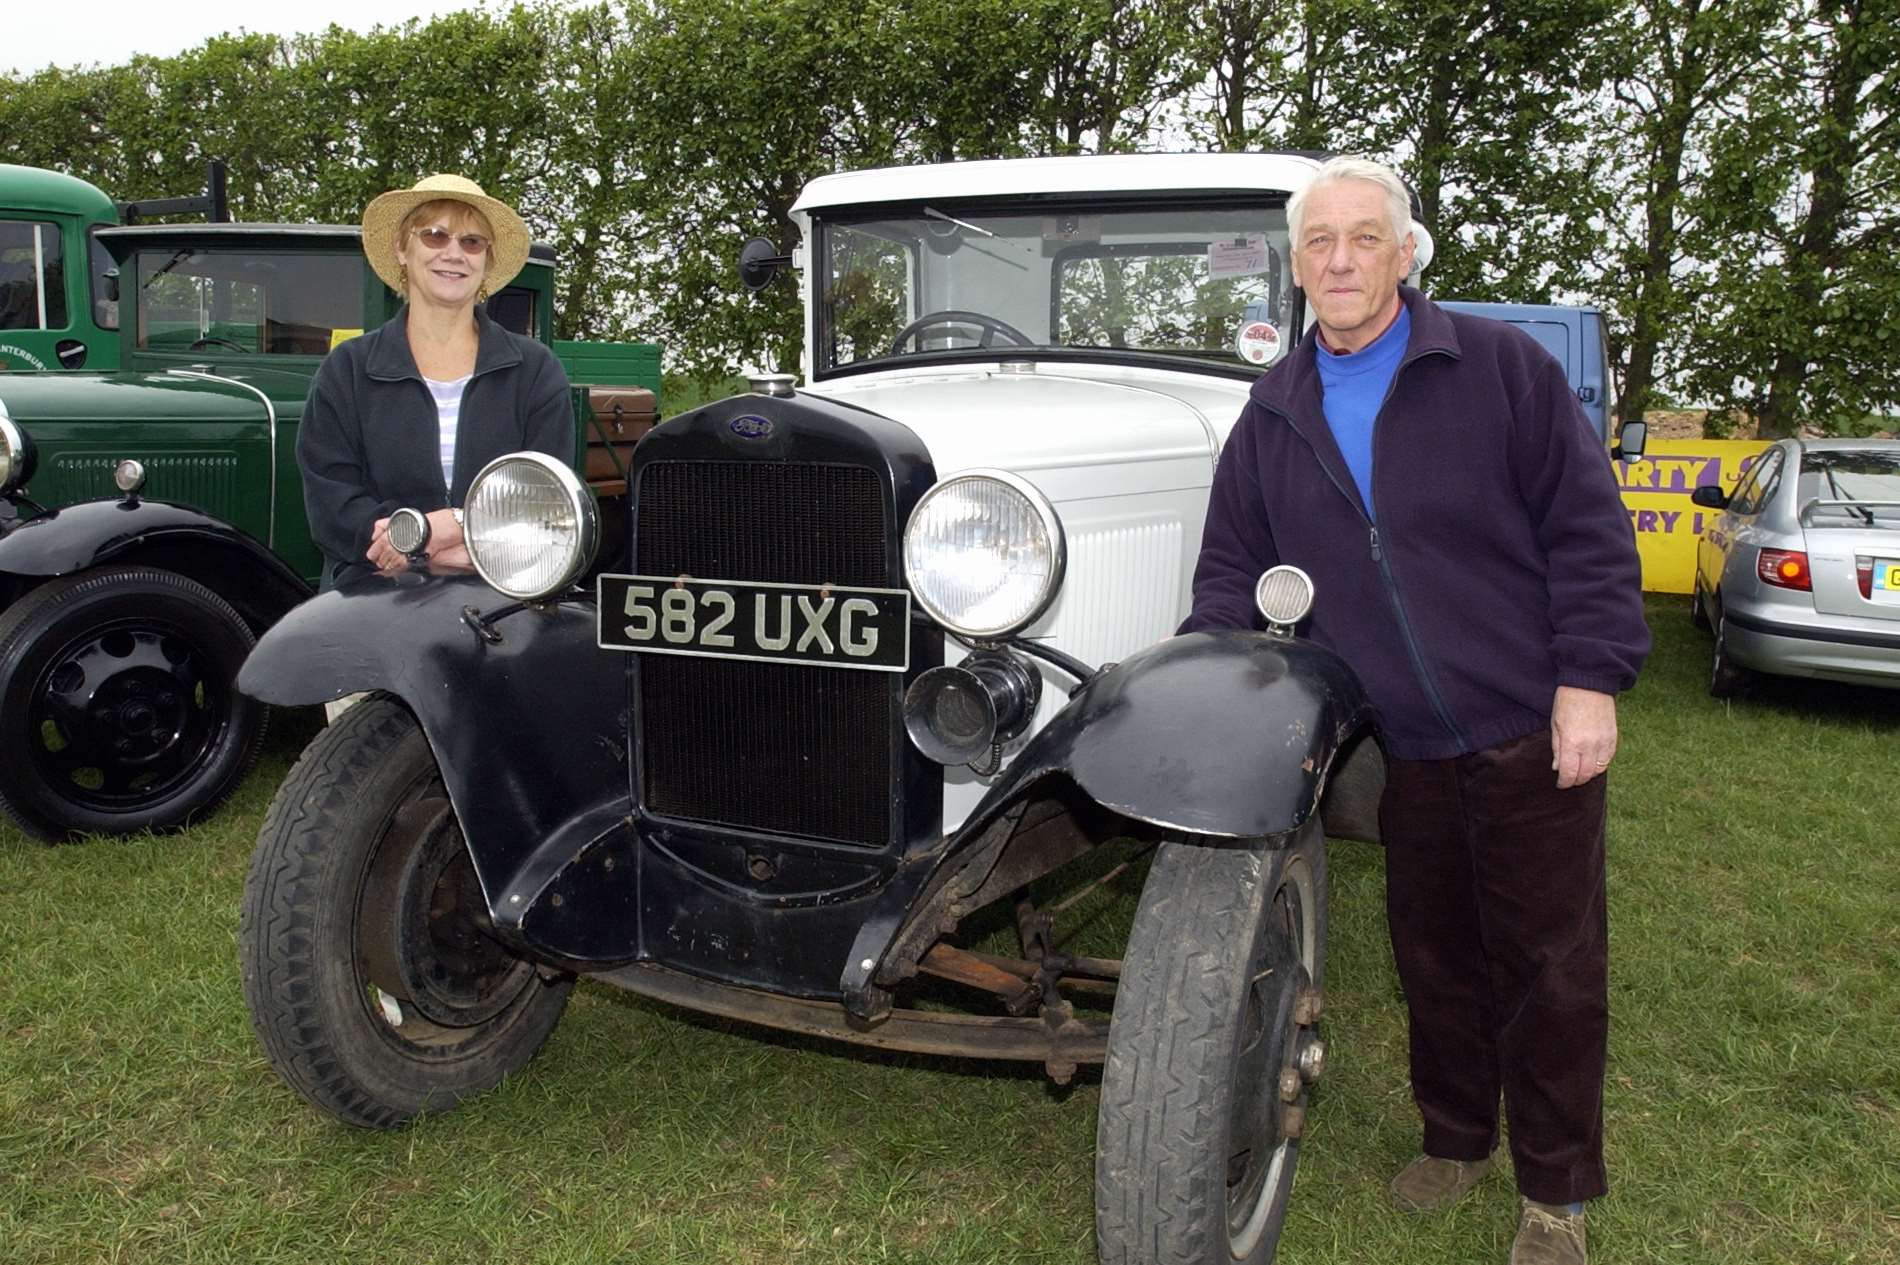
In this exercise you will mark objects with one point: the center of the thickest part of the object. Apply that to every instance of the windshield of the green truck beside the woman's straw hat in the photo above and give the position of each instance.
(288, 303)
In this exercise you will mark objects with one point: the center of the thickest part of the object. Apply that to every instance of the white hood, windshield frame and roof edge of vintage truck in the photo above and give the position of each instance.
(1124, 451)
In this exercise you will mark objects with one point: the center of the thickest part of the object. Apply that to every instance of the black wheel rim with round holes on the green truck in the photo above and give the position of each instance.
(126, 715)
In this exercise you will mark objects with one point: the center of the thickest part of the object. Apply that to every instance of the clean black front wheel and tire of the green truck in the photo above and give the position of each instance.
(119, 704)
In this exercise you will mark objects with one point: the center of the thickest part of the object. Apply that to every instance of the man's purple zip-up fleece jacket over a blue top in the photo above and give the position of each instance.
(1504, 563)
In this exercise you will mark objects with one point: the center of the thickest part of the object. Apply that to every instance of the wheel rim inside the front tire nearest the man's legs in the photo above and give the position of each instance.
(1261, 1154)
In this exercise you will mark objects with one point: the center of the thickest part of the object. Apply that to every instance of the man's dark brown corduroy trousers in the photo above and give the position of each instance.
(1494, 894)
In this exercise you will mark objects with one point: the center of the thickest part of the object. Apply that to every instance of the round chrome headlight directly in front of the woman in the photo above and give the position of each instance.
(531, 525)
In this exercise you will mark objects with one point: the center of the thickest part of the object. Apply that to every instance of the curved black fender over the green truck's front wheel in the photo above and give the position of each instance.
(176, 538)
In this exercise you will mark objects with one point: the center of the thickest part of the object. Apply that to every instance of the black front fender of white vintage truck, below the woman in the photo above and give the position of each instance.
(529, 732)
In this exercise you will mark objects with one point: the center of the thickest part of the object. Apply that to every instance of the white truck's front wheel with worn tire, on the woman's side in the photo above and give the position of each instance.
(373, 983)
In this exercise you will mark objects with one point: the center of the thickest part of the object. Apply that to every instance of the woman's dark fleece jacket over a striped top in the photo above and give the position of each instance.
(370, 442)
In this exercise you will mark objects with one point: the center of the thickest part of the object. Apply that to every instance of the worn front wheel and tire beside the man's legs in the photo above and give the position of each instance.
(1215, 1023)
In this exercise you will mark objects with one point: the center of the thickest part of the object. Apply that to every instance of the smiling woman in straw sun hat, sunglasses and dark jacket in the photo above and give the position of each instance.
(409, 413)
